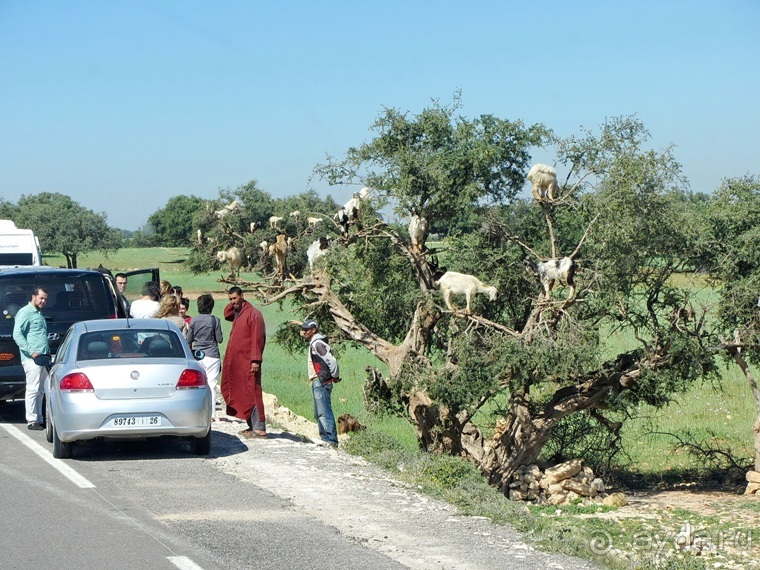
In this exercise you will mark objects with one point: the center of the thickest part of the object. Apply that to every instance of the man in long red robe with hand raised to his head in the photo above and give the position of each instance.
(241, 370)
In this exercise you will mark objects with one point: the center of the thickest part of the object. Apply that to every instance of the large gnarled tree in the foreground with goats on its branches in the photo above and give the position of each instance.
(492, 386)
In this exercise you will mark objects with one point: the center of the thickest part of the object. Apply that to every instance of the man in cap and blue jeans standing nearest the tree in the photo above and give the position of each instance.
(323, 372)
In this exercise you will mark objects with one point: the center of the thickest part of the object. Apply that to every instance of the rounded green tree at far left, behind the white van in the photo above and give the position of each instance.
(63, 226)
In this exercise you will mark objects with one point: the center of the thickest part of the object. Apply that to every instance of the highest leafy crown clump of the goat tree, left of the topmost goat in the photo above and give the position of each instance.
(438, 163)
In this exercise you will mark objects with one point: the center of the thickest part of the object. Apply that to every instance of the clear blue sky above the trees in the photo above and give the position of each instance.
(124, 104)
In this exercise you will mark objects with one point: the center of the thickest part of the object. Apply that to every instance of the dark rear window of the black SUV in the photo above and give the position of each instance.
(71, 298)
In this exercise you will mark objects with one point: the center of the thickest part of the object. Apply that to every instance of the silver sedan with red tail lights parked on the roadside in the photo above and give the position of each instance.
(125, 379)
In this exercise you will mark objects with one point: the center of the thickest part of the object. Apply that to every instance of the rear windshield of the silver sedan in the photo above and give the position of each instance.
(132, 343)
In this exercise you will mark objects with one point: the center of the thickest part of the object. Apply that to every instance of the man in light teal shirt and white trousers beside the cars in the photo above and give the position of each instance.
(30, 334)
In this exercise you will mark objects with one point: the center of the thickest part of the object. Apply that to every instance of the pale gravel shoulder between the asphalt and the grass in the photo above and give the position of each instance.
(365, 505)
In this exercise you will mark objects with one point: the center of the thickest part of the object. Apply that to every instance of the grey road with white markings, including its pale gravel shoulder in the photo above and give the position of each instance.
(279, 503)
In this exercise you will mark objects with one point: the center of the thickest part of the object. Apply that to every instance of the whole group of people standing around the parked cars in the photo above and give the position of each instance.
(241, 389)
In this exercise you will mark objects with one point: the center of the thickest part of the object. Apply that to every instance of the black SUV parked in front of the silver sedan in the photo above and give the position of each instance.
(73, 295)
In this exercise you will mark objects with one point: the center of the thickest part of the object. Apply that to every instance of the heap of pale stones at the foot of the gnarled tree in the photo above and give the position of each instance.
(563, 484)
